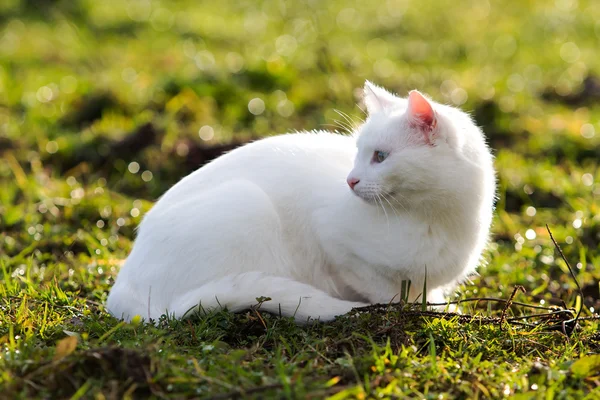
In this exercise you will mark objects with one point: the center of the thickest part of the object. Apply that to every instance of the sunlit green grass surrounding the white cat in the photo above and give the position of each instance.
(104, 105)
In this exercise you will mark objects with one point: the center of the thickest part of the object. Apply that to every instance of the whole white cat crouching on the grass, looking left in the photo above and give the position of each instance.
(320, 222)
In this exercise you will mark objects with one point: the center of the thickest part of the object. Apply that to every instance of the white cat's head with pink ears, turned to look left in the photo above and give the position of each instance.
(415, 153)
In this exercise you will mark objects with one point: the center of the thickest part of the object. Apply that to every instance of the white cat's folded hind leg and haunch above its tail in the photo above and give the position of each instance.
(184, 243)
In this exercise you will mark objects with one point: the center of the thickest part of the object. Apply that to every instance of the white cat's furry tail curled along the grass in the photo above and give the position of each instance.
(240, 292)
